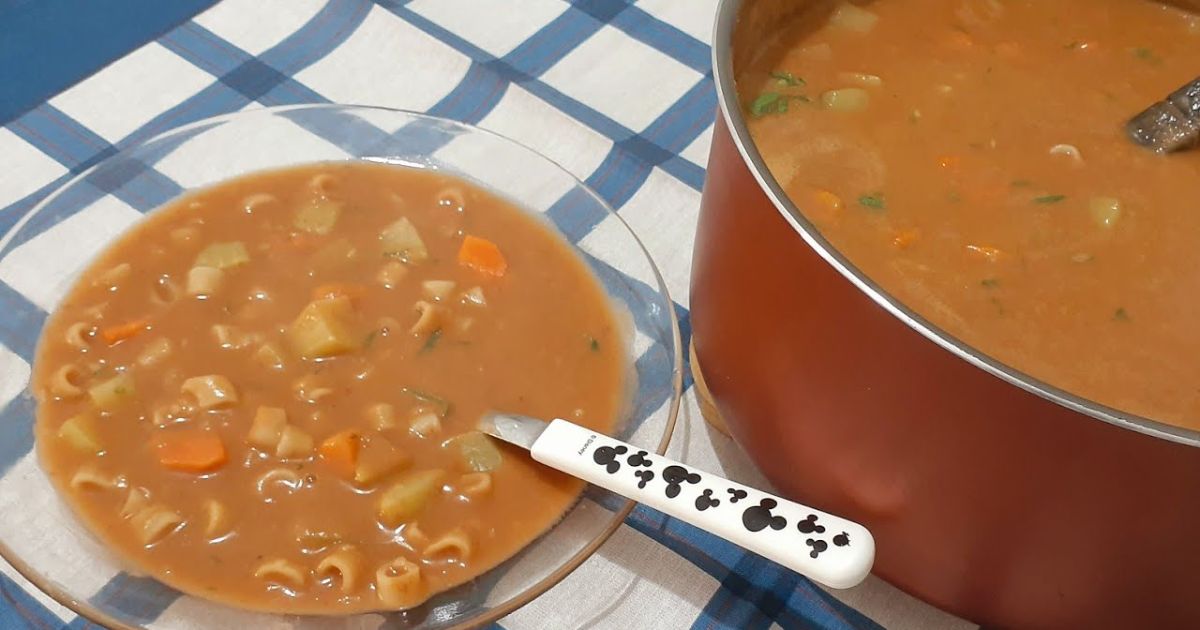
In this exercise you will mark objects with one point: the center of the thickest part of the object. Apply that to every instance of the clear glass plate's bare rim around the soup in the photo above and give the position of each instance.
(46, 249)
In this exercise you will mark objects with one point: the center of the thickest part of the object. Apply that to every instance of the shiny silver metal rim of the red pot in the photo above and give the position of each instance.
(728, 100)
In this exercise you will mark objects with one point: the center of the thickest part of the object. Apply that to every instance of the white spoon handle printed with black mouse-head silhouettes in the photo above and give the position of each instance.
(824, 548)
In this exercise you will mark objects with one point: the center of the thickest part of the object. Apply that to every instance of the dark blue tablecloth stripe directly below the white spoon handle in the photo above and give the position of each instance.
(754, 592)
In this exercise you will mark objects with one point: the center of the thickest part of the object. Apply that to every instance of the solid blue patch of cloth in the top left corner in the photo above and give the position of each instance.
(43, 44)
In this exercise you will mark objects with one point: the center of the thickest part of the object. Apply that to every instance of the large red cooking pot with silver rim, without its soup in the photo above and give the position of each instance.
(992, 495)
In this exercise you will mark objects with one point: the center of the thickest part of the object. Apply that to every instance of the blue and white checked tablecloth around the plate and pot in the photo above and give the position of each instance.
(619, 93)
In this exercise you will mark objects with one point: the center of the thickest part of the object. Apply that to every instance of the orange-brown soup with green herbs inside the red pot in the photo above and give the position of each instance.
(970, 158)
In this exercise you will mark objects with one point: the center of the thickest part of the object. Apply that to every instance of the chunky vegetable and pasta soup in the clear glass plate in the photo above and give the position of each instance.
(266, 394)
